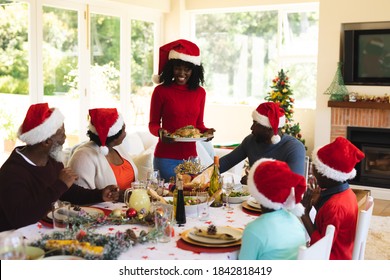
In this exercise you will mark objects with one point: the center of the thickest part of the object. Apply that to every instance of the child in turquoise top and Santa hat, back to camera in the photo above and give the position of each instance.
(277, 233)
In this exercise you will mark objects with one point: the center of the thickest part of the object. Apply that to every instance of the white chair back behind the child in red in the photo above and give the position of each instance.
(362, 227)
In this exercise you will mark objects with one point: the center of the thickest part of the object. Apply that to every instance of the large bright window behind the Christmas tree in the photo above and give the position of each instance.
(243, 51)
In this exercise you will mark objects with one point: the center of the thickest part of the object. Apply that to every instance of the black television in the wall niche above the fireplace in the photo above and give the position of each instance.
(365, 55)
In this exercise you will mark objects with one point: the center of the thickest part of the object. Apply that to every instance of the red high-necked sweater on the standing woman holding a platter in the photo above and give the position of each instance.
(173, 107)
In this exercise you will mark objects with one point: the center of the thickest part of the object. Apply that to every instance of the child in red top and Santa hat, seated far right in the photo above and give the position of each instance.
(334, 200)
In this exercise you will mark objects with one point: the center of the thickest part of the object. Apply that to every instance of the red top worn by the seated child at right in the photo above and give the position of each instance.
(340, 210)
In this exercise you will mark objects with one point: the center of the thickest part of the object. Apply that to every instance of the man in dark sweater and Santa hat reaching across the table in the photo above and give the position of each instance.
(267, 141)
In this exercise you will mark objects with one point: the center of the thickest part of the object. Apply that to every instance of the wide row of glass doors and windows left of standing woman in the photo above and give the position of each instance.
(76, 57)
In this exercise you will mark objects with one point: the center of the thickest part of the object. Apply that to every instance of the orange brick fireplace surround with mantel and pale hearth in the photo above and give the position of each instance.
(361, 114)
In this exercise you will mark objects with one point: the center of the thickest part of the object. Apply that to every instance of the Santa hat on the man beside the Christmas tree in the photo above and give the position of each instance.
(270, 114)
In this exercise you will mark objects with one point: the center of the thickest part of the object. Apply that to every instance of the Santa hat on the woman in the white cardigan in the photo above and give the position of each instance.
(105, 122)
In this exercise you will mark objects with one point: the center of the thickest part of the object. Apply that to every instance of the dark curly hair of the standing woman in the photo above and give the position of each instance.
(196, 79)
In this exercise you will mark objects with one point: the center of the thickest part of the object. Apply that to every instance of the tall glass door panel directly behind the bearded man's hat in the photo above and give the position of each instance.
(60, 60)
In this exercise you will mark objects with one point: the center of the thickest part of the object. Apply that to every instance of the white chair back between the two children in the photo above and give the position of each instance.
(319, 250)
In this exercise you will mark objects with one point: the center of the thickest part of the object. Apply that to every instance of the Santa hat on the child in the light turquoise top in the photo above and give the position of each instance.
(273, 184)
